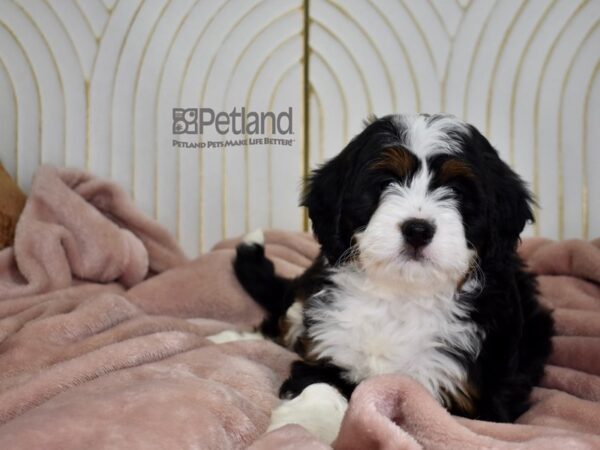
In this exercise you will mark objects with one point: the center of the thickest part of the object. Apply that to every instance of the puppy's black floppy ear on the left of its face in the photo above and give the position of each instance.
(323, 196)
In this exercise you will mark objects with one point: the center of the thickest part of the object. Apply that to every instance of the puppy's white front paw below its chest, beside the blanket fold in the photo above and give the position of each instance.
(319, 408)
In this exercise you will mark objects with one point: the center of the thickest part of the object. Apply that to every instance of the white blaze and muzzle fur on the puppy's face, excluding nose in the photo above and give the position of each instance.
(382, 249)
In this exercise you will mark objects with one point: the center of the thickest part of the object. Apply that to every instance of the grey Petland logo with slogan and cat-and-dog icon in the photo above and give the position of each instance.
(253, 126)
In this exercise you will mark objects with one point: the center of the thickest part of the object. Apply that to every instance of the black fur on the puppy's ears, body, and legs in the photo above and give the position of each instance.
(495, 206)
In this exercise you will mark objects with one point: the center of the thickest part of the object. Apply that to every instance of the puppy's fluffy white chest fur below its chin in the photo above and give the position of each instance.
(368, 335)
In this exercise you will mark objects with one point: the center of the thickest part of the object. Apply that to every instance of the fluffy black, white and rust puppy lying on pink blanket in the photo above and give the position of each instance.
(418, 221)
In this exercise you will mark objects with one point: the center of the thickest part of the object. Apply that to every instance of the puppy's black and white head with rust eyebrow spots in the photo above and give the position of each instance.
(418, 199)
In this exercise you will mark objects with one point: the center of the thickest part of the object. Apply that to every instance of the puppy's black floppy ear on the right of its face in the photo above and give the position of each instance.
(510, 201)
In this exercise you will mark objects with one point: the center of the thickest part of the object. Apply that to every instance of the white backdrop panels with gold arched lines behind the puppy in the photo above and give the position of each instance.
(92, 84)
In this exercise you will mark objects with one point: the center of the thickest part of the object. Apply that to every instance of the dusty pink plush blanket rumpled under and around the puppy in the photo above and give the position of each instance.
(104, 328)
